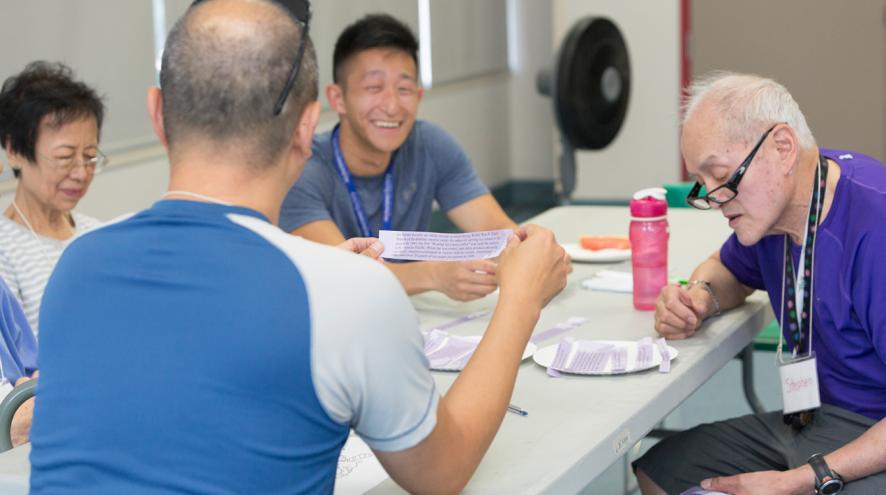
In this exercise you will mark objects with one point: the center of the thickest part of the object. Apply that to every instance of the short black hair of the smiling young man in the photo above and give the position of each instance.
(372, 31)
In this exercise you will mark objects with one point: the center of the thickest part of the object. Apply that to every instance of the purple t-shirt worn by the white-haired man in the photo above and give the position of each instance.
(849, 310)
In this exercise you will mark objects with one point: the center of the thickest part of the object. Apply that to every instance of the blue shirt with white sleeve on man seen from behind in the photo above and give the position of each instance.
(196, 348)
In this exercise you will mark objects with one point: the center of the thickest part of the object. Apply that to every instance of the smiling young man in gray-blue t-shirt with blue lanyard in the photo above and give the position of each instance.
(380, 168)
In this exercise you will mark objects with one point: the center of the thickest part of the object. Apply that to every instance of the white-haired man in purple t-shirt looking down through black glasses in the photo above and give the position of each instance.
(808, 229)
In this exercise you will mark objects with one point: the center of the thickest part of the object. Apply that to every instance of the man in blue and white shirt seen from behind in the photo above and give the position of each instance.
(195, 347)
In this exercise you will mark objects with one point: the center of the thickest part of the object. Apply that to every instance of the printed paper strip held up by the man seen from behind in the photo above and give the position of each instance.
(433, 246)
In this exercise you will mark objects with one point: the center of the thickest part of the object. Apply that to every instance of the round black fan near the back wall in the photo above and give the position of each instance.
(589, 85)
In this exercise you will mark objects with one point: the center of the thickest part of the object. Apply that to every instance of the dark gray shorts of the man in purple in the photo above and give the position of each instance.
(754, 443)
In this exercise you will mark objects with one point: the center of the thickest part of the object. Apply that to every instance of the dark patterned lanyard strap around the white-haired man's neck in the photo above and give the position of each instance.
(799, 287)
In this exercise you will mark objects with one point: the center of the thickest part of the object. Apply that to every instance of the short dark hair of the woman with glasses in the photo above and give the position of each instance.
(41, 90)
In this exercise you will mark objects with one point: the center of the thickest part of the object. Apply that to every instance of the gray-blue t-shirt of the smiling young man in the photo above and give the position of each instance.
(429, 165)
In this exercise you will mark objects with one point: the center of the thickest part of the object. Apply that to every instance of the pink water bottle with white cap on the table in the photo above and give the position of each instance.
(649, 245)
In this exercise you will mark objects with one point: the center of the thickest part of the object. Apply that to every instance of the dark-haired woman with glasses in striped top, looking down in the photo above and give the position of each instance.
(49, 129)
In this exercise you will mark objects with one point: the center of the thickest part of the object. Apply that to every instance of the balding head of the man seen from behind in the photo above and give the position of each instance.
(224, 66)
